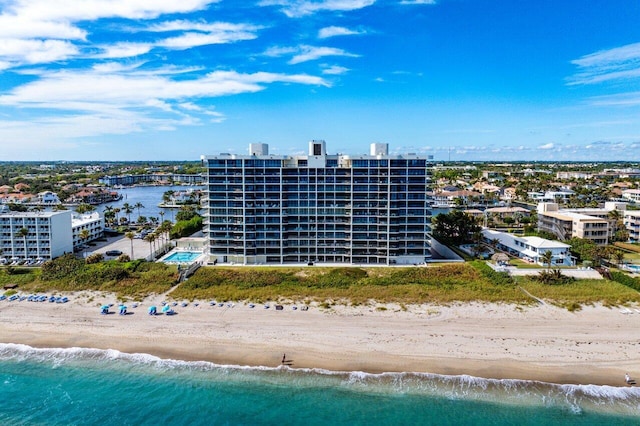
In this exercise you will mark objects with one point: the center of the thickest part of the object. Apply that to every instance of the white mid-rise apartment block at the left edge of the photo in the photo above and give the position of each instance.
(48, 235)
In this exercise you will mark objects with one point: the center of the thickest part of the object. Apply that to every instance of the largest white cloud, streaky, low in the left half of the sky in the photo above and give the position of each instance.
(114, 99)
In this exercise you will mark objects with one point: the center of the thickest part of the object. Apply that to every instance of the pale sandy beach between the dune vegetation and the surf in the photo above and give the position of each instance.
(596, 345)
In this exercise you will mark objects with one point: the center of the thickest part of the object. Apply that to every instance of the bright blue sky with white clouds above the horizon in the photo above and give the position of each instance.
(456, 79)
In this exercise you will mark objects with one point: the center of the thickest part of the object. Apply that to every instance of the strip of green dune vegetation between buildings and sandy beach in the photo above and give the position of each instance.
(439, 284)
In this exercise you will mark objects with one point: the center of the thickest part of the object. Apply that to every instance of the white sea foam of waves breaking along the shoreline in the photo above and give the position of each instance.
(573, 398)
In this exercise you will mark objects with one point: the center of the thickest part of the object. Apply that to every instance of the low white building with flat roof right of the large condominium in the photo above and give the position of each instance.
(530, 248)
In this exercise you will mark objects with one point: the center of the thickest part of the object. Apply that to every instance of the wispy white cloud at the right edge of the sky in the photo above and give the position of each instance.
(617, 64)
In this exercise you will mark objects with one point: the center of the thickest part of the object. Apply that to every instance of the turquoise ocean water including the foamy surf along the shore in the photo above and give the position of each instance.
(96, 387)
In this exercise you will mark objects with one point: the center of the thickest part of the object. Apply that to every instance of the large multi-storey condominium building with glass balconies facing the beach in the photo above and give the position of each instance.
(273, 209)
